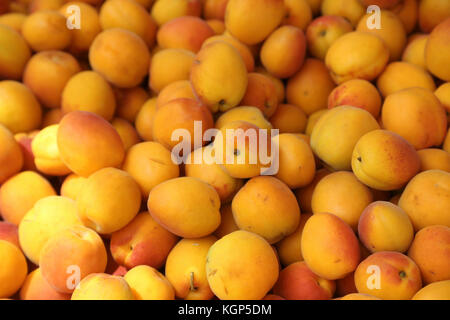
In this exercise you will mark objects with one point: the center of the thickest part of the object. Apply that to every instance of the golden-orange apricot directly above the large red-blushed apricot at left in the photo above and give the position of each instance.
(89, 91)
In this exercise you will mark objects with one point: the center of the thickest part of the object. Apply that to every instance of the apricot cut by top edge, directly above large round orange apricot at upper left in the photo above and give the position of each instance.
(128, 15)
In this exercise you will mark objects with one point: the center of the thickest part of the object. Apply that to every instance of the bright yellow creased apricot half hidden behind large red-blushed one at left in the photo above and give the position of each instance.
(46, 154)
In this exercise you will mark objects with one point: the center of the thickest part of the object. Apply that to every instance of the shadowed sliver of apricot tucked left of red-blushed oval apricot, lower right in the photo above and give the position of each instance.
(289, 249)
